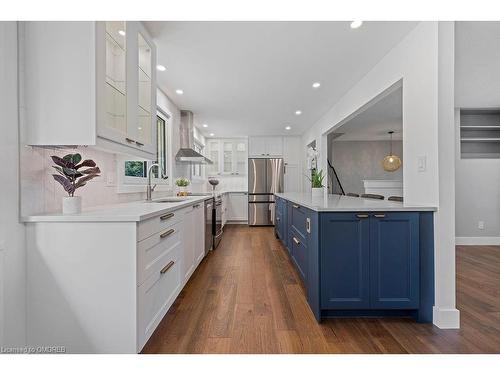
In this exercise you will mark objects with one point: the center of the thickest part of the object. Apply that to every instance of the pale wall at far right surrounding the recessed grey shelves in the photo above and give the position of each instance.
(477, 82)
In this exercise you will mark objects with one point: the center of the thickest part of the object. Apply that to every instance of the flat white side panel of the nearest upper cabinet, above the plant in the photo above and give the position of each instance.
(59, 86)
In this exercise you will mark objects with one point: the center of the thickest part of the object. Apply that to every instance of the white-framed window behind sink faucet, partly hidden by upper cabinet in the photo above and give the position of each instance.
(134, 172)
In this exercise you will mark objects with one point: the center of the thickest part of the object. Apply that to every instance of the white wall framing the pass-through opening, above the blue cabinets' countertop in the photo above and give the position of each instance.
(414, 60)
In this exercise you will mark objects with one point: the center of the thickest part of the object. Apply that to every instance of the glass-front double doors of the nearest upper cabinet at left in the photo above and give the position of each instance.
(126, 104)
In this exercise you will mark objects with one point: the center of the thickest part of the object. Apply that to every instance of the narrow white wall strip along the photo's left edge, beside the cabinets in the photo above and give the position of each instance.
(13, 254)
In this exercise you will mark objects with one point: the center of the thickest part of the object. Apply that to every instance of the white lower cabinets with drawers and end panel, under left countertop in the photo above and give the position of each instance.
(108, 291)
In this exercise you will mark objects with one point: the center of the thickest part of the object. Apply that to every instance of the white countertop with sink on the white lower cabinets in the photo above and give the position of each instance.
(132, 211)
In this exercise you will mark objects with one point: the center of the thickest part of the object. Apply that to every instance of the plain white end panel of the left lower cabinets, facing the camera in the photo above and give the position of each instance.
(82, 286)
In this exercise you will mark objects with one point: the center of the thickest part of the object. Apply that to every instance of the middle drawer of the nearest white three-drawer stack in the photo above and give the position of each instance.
(151, 250)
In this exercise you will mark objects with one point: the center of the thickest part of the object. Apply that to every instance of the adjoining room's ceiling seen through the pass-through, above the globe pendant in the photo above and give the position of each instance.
(373, 123)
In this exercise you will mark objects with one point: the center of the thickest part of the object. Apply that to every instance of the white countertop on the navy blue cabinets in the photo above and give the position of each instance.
(342, 203)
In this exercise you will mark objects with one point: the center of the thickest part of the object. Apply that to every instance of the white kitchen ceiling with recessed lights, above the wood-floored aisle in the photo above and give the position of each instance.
(249, 78)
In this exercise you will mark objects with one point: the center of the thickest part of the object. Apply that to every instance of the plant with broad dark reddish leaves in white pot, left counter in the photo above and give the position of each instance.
(73, 173)
